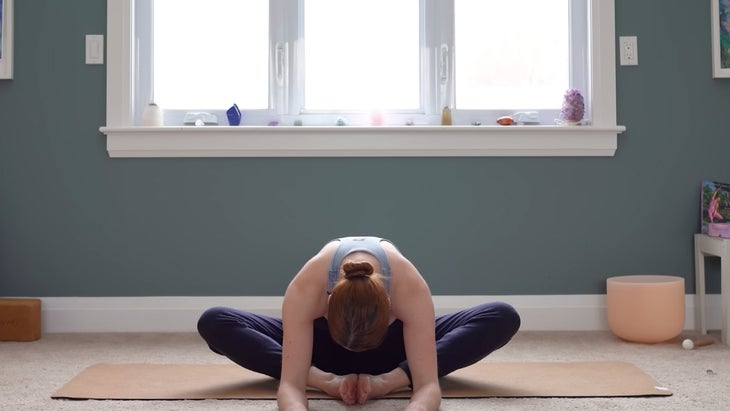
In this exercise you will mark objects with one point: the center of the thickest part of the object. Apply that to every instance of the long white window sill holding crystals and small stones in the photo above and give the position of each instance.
(352, 141)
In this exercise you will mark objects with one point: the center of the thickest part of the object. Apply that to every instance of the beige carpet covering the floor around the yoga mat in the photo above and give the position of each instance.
(31, 372)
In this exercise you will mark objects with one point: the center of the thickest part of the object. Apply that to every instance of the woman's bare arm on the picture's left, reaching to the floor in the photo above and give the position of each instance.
(304, 301)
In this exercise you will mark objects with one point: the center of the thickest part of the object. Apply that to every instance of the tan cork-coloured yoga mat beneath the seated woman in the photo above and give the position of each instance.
(484, 379)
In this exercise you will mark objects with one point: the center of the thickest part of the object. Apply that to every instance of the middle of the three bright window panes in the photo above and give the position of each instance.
(361, 55)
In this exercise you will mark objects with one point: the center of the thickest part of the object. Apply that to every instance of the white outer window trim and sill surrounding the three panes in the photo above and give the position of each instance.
(124, 139)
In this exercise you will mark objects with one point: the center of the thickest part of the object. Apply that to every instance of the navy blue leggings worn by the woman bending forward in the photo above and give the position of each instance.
(253, 341)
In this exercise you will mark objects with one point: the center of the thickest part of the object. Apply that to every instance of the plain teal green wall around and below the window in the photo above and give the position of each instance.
(74, 222)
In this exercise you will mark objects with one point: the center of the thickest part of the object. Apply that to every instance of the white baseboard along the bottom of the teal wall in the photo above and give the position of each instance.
(180, 314)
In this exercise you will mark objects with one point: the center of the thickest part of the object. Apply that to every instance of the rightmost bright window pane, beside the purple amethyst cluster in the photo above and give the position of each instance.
(511, 54)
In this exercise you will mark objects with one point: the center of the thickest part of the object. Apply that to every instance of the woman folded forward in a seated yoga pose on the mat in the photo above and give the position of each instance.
(357, 323)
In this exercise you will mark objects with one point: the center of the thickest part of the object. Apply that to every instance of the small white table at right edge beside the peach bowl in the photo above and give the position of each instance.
(706, 245)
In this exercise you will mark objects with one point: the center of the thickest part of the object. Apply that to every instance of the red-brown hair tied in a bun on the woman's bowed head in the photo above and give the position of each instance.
(359, 308)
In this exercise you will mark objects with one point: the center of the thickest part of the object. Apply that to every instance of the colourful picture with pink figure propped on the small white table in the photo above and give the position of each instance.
(715, 209)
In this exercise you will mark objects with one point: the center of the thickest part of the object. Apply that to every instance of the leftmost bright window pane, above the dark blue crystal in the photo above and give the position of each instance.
(211, 54)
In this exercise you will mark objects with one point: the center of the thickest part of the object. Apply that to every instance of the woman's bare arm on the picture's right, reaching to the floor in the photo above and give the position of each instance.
(412, 303)
